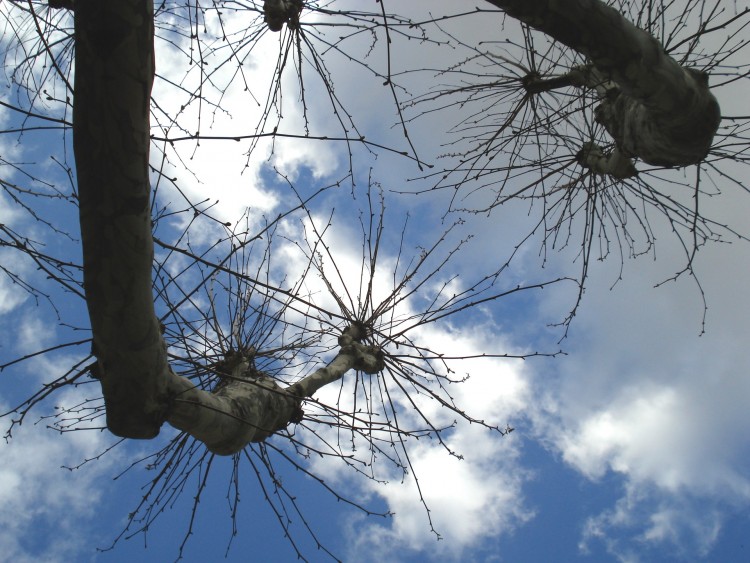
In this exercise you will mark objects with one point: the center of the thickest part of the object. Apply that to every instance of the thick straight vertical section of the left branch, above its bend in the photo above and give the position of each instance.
(113, 77)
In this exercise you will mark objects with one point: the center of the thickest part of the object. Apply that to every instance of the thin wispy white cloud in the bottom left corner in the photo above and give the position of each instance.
(47, 509)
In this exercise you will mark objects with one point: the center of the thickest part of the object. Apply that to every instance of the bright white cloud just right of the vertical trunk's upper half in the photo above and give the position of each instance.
(221, 170)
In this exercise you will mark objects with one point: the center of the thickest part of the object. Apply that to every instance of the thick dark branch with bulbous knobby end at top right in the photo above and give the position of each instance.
(663, 114)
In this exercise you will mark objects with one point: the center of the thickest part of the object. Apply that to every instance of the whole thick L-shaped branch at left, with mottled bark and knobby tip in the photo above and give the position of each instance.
(114, 69)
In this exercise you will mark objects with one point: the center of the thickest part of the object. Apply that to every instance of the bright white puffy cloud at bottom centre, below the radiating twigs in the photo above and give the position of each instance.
(469, 500)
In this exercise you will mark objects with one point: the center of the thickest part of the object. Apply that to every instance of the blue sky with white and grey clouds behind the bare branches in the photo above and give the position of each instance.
(629, 446)
